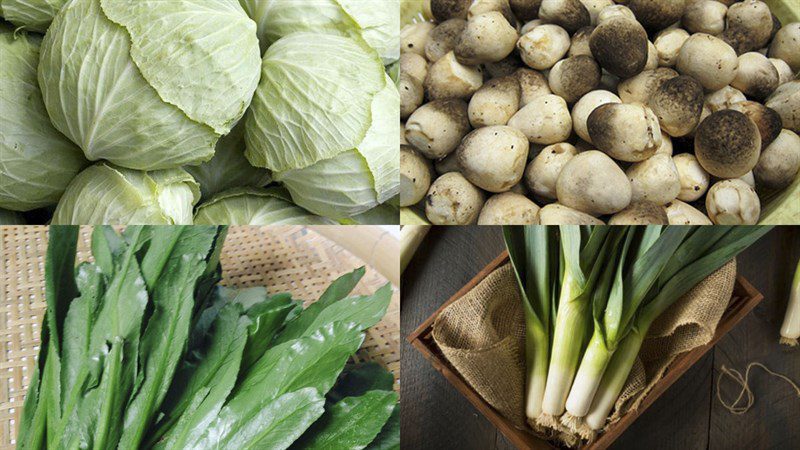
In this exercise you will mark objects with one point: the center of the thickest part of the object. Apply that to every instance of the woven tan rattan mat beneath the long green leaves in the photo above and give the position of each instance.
(284, 259)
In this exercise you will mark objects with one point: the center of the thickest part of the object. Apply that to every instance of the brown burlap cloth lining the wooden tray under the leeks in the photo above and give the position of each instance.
(482, 336)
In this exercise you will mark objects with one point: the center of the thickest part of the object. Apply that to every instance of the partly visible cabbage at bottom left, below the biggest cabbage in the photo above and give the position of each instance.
(105, 194)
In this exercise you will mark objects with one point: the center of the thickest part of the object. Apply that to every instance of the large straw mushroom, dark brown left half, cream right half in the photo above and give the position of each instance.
(626, 132)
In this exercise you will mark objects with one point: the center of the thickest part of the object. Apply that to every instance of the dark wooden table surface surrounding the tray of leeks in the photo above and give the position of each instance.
(688, 416)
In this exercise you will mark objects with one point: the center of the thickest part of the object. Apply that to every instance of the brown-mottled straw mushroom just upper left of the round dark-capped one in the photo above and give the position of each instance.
(678, 104)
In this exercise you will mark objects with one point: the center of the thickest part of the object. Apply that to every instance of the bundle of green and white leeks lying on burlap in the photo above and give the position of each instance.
(588, 309)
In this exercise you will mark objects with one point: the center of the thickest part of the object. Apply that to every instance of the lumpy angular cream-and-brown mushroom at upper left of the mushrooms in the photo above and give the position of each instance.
(448, 78)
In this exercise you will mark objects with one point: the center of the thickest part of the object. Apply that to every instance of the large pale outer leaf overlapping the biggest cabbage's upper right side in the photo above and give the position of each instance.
(200, 55)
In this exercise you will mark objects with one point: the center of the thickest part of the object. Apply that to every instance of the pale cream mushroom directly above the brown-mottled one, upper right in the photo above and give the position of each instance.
(709, 60)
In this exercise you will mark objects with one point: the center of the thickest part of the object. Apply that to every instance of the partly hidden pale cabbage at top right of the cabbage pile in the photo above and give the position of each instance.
(377, 25)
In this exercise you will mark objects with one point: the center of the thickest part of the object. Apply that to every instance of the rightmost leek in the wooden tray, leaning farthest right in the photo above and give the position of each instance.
(734, 240)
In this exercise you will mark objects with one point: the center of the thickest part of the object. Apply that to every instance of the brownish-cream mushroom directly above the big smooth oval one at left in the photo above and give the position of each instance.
(495, 102)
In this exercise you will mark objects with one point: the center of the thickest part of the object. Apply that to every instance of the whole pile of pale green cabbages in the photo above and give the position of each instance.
(198, 111)
